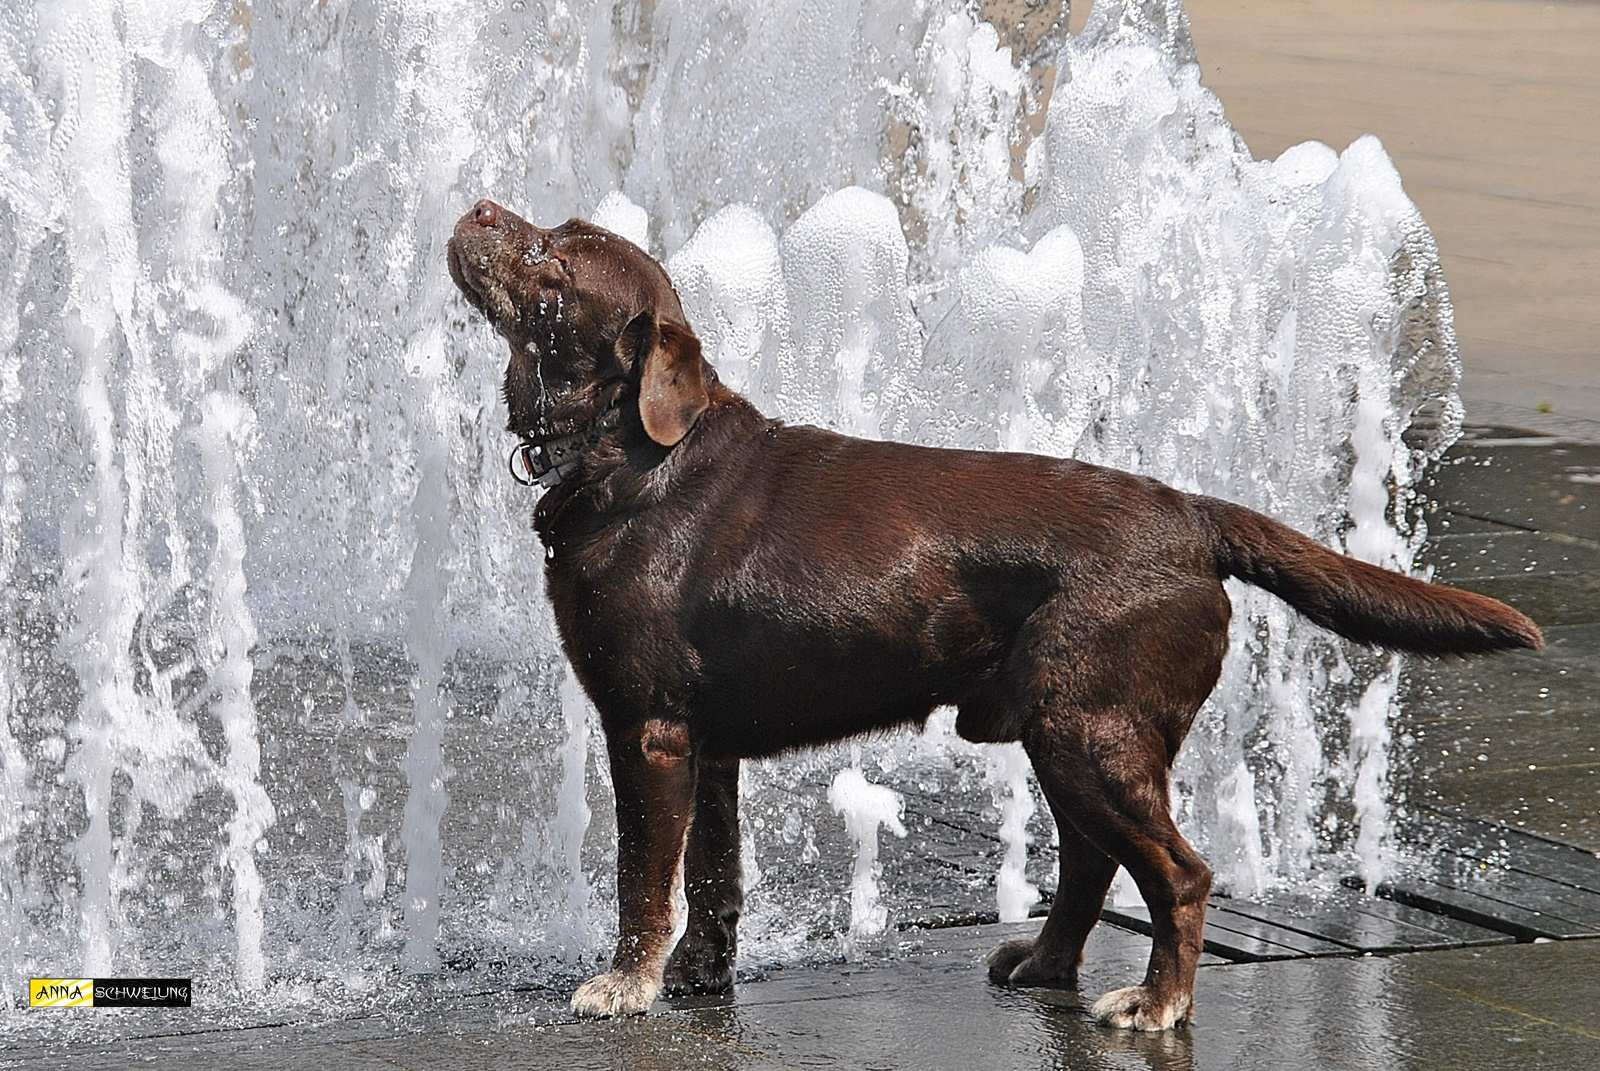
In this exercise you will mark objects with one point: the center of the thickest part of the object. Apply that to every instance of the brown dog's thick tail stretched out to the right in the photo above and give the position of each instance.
(1359, 601)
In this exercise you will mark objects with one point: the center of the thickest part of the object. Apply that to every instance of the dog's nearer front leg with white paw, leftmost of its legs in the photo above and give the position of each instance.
(654, 774)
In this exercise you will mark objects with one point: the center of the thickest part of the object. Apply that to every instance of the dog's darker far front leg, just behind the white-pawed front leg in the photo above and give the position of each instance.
(705, 958)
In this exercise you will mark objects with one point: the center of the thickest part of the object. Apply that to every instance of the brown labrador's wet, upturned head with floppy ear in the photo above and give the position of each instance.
(593, 321)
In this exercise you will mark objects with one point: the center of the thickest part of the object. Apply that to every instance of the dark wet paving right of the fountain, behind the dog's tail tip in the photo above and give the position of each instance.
(1516, 740)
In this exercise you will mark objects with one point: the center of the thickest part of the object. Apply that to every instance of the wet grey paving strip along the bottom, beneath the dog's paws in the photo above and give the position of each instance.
(1506, 1008)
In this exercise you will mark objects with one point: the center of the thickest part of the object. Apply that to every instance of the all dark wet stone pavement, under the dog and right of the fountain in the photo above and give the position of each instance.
(1479, 957)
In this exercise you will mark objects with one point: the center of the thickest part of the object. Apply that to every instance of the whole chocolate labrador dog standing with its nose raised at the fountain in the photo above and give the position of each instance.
(729, 587)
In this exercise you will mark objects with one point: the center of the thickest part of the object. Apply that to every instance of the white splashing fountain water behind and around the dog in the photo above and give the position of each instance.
(282, 700)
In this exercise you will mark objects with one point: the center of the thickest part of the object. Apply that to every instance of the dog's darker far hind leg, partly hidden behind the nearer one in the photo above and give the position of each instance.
(1054, 958)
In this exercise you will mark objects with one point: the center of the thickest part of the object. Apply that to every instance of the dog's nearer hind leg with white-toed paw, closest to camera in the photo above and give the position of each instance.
(1116, 796)
